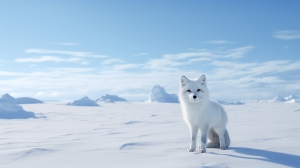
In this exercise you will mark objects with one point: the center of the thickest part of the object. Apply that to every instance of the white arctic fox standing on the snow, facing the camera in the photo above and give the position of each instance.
(199, 112)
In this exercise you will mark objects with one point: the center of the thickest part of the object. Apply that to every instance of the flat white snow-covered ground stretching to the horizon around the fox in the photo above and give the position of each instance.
(131, 134)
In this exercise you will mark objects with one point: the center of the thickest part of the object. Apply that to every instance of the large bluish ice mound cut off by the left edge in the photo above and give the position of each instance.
(9, 109)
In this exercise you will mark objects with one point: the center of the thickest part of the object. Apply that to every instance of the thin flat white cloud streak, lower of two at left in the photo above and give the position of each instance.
(46, 59)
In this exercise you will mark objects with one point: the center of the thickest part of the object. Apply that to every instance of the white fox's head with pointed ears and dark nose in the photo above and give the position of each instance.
(192, 90)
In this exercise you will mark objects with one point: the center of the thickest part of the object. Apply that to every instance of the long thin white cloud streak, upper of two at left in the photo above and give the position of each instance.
(71, 53)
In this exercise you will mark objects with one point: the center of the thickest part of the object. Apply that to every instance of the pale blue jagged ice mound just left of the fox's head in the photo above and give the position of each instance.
(158, 94)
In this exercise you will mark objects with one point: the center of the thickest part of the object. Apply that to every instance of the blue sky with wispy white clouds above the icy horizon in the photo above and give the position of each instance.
(58, 50)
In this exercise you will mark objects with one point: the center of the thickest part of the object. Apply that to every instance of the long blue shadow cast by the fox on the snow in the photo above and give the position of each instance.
(269, 156)
